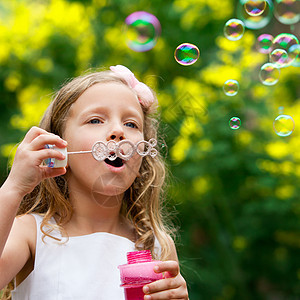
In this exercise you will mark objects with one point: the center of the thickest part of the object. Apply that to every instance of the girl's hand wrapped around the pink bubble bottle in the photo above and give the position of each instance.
(173, 286)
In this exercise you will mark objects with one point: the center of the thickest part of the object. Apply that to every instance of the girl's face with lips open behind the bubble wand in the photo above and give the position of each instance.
(104, 112)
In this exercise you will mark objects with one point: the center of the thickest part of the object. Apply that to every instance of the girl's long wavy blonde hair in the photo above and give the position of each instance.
(142, 202)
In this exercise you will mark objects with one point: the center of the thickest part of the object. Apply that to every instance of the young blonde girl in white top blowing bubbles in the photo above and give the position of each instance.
(75, 224)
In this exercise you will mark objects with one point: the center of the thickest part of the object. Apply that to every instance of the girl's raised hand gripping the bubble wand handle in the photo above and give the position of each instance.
(27, 170)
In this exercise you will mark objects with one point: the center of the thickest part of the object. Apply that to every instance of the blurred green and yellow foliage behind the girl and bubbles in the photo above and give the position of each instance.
(236, 192)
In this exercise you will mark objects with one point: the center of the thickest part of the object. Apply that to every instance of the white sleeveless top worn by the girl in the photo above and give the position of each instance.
(85, 267)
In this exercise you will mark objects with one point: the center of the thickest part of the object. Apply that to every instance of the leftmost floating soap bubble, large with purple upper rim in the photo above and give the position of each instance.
(142, 31)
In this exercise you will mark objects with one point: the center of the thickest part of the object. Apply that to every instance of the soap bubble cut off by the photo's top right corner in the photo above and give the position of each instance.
(287, 11)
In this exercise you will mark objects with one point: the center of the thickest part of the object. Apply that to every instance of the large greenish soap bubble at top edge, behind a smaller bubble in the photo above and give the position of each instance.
(255, 21)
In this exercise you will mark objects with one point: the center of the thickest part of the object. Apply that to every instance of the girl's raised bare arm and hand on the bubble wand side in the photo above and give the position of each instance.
(26, 173)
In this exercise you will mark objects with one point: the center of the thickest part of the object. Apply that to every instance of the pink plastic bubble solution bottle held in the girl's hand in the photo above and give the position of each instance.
(137, 272)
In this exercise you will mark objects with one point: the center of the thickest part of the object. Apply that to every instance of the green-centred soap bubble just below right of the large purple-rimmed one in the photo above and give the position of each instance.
(186, 54)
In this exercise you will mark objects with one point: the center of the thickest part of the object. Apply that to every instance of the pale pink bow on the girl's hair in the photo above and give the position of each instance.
(143, 92)
